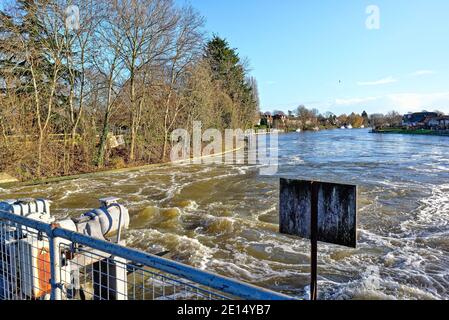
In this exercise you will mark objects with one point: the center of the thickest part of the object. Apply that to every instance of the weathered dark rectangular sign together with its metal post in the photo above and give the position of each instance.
(318, 211)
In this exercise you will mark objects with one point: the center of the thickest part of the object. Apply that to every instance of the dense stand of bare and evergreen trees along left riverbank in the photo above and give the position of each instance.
(138, 68)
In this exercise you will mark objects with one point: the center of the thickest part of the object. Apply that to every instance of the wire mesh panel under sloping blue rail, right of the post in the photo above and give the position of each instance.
(99, 276)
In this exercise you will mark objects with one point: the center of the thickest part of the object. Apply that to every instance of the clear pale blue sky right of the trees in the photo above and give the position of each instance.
(300, 50)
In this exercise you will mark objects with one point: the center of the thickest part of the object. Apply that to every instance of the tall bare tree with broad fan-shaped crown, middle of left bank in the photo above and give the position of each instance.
(146, 27)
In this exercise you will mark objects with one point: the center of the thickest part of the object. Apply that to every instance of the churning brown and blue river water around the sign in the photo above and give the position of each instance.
(225, 218)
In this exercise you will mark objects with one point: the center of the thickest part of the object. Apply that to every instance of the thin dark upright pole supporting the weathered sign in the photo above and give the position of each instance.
(314, 242)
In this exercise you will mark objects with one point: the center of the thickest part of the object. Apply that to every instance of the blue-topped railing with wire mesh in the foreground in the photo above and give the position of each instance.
(40, 261)
